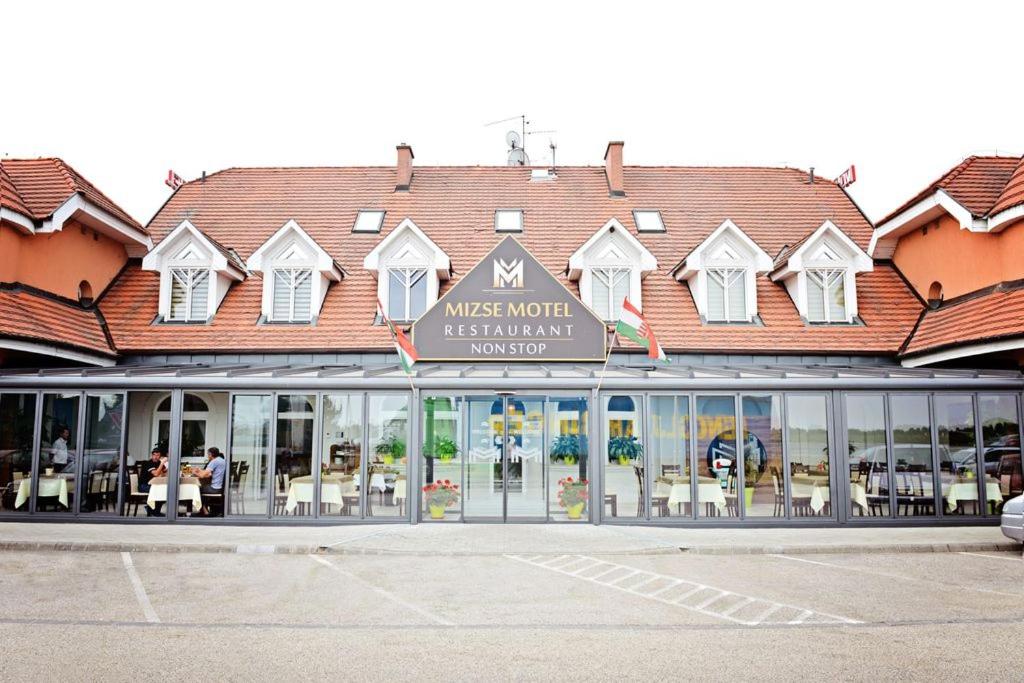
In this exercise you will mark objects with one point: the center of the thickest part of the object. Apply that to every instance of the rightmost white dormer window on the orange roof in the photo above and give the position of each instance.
(821, 275)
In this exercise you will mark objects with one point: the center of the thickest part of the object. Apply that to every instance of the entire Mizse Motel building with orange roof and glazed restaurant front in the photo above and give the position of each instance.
(824, 371)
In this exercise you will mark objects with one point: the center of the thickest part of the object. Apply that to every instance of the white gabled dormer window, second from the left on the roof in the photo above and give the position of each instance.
(296, 272)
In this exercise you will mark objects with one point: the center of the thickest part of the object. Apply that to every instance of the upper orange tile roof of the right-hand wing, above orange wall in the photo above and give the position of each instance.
(978, 184)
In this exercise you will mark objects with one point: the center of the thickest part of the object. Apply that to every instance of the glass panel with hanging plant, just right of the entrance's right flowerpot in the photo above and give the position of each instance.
(624, 457)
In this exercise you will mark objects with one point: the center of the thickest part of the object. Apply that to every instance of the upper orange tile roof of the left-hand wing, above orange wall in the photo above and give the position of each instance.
(36, 188)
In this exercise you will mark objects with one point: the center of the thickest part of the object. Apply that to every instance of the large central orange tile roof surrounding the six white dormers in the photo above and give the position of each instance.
(241, 208)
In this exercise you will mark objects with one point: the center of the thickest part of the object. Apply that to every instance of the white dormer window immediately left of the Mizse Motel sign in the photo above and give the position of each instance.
(409, 268)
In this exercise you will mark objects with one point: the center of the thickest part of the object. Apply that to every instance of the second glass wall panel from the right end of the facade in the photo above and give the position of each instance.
(958, 454)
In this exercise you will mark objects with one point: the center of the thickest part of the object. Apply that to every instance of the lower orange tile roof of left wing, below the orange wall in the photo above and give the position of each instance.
(37, 317)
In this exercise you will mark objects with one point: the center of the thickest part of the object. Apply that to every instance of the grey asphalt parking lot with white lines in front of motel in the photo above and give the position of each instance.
(120, 616)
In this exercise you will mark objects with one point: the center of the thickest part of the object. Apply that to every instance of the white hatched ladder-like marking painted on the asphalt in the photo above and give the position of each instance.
(732, 612)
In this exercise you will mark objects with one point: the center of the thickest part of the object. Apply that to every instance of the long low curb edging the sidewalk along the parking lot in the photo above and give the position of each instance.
(74, 546)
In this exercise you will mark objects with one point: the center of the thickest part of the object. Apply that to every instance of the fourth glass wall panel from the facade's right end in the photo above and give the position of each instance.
(868, 460)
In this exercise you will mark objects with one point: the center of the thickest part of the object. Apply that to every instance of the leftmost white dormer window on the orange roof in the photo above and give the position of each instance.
(196, 274)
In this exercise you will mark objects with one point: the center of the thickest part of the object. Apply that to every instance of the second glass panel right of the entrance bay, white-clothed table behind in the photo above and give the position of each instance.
(670, 456)
